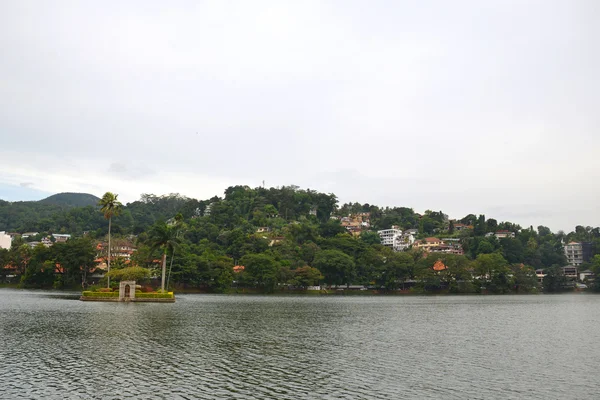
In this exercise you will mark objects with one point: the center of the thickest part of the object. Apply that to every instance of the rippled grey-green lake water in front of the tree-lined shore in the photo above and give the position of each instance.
(284, 347)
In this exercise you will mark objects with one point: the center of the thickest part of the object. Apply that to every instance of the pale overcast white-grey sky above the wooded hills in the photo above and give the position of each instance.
(462, 106)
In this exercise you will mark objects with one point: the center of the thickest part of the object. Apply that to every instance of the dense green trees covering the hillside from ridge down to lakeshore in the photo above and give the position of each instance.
(298, 244)
